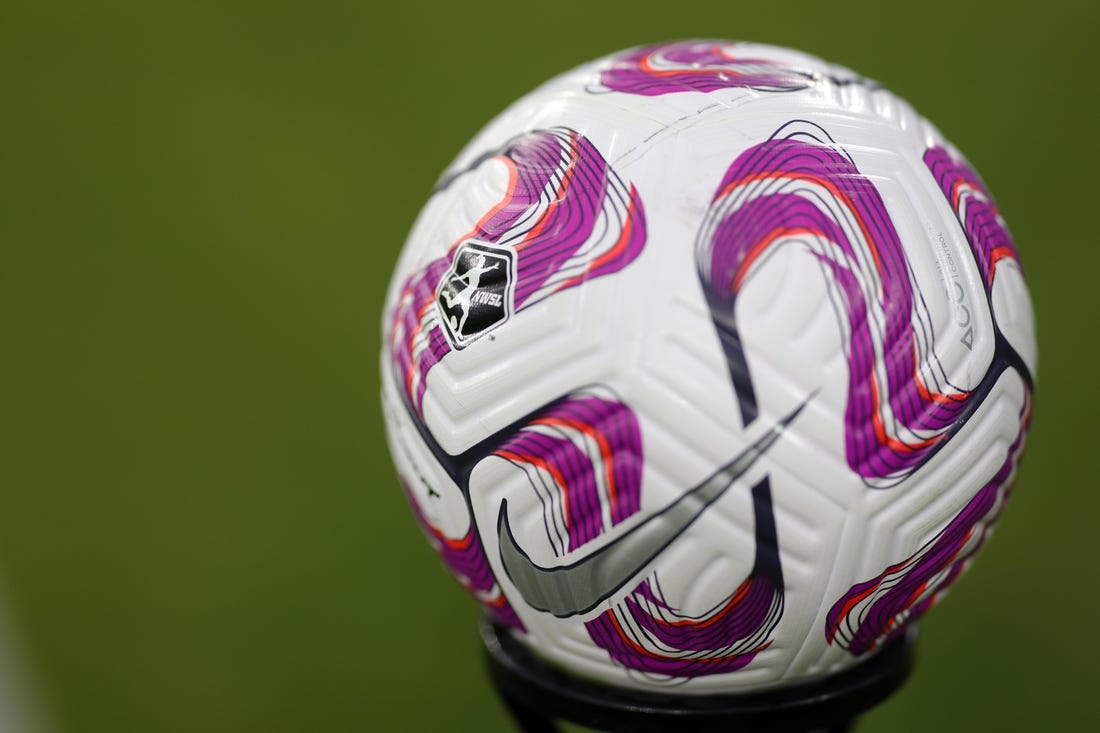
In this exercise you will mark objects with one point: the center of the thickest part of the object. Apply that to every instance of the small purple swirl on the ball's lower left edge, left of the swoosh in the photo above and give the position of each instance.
(467, 561)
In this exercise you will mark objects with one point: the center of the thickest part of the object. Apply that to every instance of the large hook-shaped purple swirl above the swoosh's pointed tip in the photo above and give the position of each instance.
(800, 188)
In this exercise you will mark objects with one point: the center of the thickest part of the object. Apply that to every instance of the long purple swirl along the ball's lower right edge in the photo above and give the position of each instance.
(877, 610)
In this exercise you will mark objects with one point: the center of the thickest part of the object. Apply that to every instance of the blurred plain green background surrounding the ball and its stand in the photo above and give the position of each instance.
(200, 209)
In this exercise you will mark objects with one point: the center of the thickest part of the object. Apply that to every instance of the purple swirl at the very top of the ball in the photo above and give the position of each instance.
(698, 67)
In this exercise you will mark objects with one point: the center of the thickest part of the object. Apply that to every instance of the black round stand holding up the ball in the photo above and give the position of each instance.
(537, 695)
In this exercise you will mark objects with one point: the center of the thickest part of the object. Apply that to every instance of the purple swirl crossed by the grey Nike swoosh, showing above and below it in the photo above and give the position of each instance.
(584, 460)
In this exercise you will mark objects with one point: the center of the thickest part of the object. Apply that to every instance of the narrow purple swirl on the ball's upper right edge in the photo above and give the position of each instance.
(974, 206)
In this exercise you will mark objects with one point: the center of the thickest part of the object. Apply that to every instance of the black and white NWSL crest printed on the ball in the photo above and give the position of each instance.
(476, 294)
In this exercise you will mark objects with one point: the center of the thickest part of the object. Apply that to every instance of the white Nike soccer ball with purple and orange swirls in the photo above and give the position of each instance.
(708, 366)
